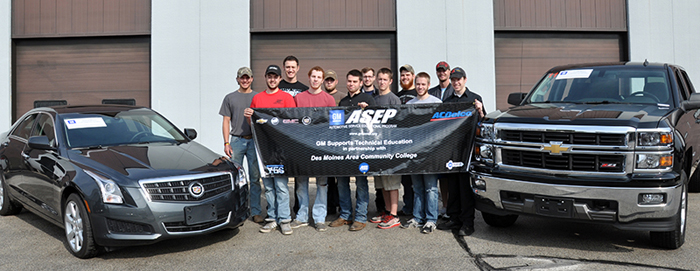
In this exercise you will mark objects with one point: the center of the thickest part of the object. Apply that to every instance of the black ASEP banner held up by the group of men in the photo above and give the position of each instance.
(349, 141)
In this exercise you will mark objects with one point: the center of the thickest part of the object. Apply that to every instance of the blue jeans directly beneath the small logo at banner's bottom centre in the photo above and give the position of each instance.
(345, 198)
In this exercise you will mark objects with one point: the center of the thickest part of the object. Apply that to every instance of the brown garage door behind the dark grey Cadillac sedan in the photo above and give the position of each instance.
(81, 71)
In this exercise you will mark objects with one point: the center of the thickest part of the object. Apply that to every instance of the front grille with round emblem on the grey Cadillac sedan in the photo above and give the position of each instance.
(178, 189)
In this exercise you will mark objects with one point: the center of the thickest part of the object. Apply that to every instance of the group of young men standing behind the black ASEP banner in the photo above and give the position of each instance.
(420, 191)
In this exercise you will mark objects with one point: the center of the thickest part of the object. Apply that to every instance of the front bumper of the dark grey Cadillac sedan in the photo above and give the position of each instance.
(150, 221)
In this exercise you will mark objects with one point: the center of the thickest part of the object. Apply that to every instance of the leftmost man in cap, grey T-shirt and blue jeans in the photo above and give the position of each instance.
(241, 144)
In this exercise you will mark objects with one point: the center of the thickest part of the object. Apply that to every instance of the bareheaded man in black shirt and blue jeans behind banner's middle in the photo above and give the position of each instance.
(355, 97)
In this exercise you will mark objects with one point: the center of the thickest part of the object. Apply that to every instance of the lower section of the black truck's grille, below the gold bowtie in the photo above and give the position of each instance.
(571, 162)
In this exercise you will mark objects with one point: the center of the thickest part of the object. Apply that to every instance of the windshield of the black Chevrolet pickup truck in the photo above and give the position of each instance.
(604, 85)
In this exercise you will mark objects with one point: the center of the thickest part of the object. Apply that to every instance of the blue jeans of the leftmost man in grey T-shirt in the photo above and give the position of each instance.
(246, 147)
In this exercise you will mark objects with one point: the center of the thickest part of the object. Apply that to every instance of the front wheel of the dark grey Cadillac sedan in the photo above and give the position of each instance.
(78, 229)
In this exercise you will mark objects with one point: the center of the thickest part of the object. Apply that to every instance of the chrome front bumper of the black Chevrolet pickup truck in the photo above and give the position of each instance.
(618, 206)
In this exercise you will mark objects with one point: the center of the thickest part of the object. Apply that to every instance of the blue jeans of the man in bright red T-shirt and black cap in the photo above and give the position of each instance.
(277, 195)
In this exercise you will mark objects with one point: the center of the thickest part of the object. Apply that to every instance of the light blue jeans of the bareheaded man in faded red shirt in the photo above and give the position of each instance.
(320, 203)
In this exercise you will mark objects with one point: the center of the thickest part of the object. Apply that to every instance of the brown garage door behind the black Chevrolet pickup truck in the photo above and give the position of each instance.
(522, 59)
